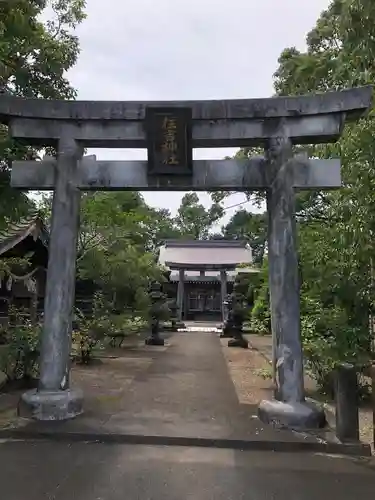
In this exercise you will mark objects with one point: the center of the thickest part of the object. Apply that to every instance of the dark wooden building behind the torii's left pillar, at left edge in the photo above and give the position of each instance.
(24, 286)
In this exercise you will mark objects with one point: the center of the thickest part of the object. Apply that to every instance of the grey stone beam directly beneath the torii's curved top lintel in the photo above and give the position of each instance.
(205, 134)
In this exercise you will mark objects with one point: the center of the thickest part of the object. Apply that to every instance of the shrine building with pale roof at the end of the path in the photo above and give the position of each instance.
(203, 273)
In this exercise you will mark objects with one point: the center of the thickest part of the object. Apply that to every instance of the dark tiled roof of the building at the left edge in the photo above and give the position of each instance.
(18, 231)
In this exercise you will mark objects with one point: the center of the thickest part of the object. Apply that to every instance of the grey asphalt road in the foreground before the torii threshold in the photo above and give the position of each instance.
(81, 471)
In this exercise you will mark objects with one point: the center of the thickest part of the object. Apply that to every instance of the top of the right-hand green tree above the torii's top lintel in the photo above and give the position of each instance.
(340, 51)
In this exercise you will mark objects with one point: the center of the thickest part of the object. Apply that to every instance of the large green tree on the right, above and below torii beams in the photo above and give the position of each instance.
(336, 230)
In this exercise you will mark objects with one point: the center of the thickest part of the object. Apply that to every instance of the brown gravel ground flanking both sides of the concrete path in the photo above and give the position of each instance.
(249, 369)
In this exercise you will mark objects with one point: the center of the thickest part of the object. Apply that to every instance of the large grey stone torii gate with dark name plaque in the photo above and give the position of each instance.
(170, 130)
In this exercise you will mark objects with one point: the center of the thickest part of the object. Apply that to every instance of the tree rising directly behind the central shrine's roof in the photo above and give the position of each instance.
(194, 220)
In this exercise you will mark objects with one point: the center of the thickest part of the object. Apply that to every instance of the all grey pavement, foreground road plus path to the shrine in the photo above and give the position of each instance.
(181, 390)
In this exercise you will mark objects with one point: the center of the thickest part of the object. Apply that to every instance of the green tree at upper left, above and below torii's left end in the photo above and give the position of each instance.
(34, 57)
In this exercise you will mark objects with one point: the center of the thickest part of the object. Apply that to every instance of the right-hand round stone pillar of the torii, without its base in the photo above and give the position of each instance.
(283, 270)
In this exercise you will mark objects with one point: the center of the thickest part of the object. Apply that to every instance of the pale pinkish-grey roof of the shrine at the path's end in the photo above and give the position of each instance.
(213, 253)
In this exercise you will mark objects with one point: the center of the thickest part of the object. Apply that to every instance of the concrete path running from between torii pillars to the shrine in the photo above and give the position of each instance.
(184, 391)
